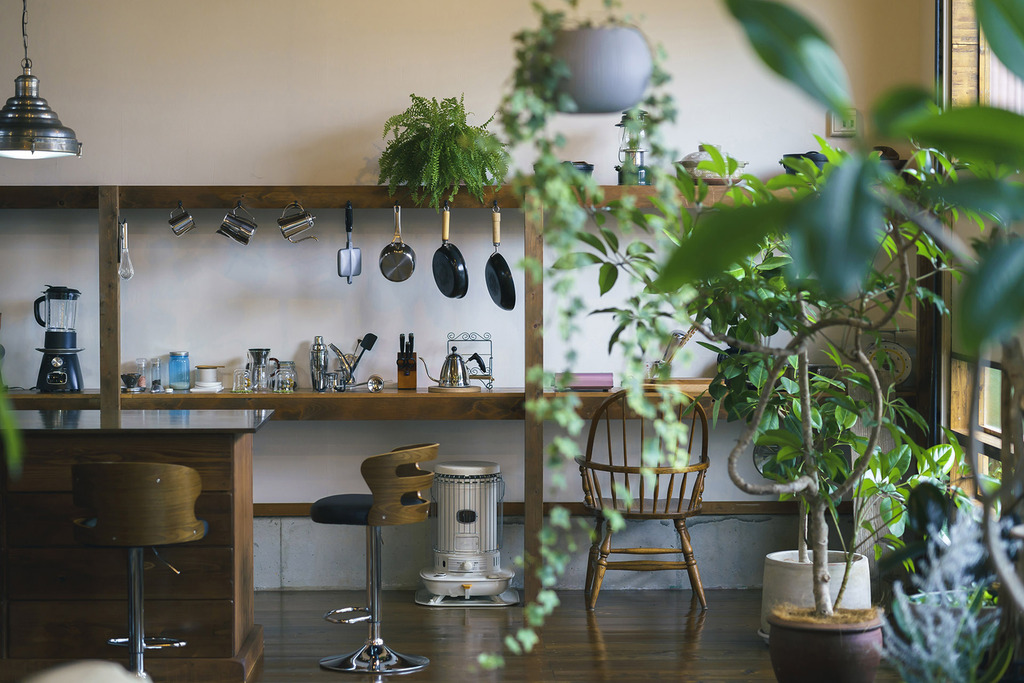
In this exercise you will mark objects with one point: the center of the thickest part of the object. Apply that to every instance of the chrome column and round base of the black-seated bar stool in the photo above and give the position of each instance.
(375, 657)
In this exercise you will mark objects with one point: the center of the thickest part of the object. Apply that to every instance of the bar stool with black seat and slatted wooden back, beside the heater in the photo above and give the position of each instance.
(396, 481)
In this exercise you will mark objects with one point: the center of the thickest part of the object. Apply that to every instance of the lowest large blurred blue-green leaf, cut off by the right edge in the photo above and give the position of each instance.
(993, 300)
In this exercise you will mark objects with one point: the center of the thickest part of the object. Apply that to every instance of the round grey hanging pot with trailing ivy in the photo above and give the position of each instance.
(611, 68)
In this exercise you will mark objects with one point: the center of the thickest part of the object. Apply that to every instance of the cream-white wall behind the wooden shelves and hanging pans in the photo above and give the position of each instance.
(262, 93)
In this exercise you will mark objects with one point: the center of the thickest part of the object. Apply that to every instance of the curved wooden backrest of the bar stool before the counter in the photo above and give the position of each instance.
(137, 504)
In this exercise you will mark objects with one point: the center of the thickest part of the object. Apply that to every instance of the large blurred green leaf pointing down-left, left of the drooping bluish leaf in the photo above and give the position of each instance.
(720, 240)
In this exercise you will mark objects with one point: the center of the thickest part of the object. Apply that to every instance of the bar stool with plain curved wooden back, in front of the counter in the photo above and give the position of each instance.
(136, 505)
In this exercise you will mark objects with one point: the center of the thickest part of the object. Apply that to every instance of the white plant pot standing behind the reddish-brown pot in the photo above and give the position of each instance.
(787, 581)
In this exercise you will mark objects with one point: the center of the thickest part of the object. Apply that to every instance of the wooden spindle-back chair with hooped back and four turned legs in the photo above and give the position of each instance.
(612, 475)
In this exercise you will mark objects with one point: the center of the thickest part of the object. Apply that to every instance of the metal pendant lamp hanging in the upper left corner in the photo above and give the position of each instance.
(29, 129)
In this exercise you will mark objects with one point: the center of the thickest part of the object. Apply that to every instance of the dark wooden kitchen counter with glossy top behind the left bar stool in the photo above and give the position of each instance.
(61, 601)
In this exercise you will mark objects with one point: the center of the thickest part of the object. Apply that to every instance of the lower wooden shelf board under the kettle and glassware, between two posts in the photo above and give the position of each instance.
(499, 404)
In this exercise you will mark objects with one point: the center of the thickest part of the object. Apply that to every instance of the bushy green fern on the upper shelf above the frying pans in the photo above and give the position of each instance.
(435, 151)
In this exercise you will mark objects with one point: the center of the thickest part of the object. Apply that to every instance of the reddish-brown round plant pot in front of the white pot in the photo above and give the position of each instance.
(804, 653)
